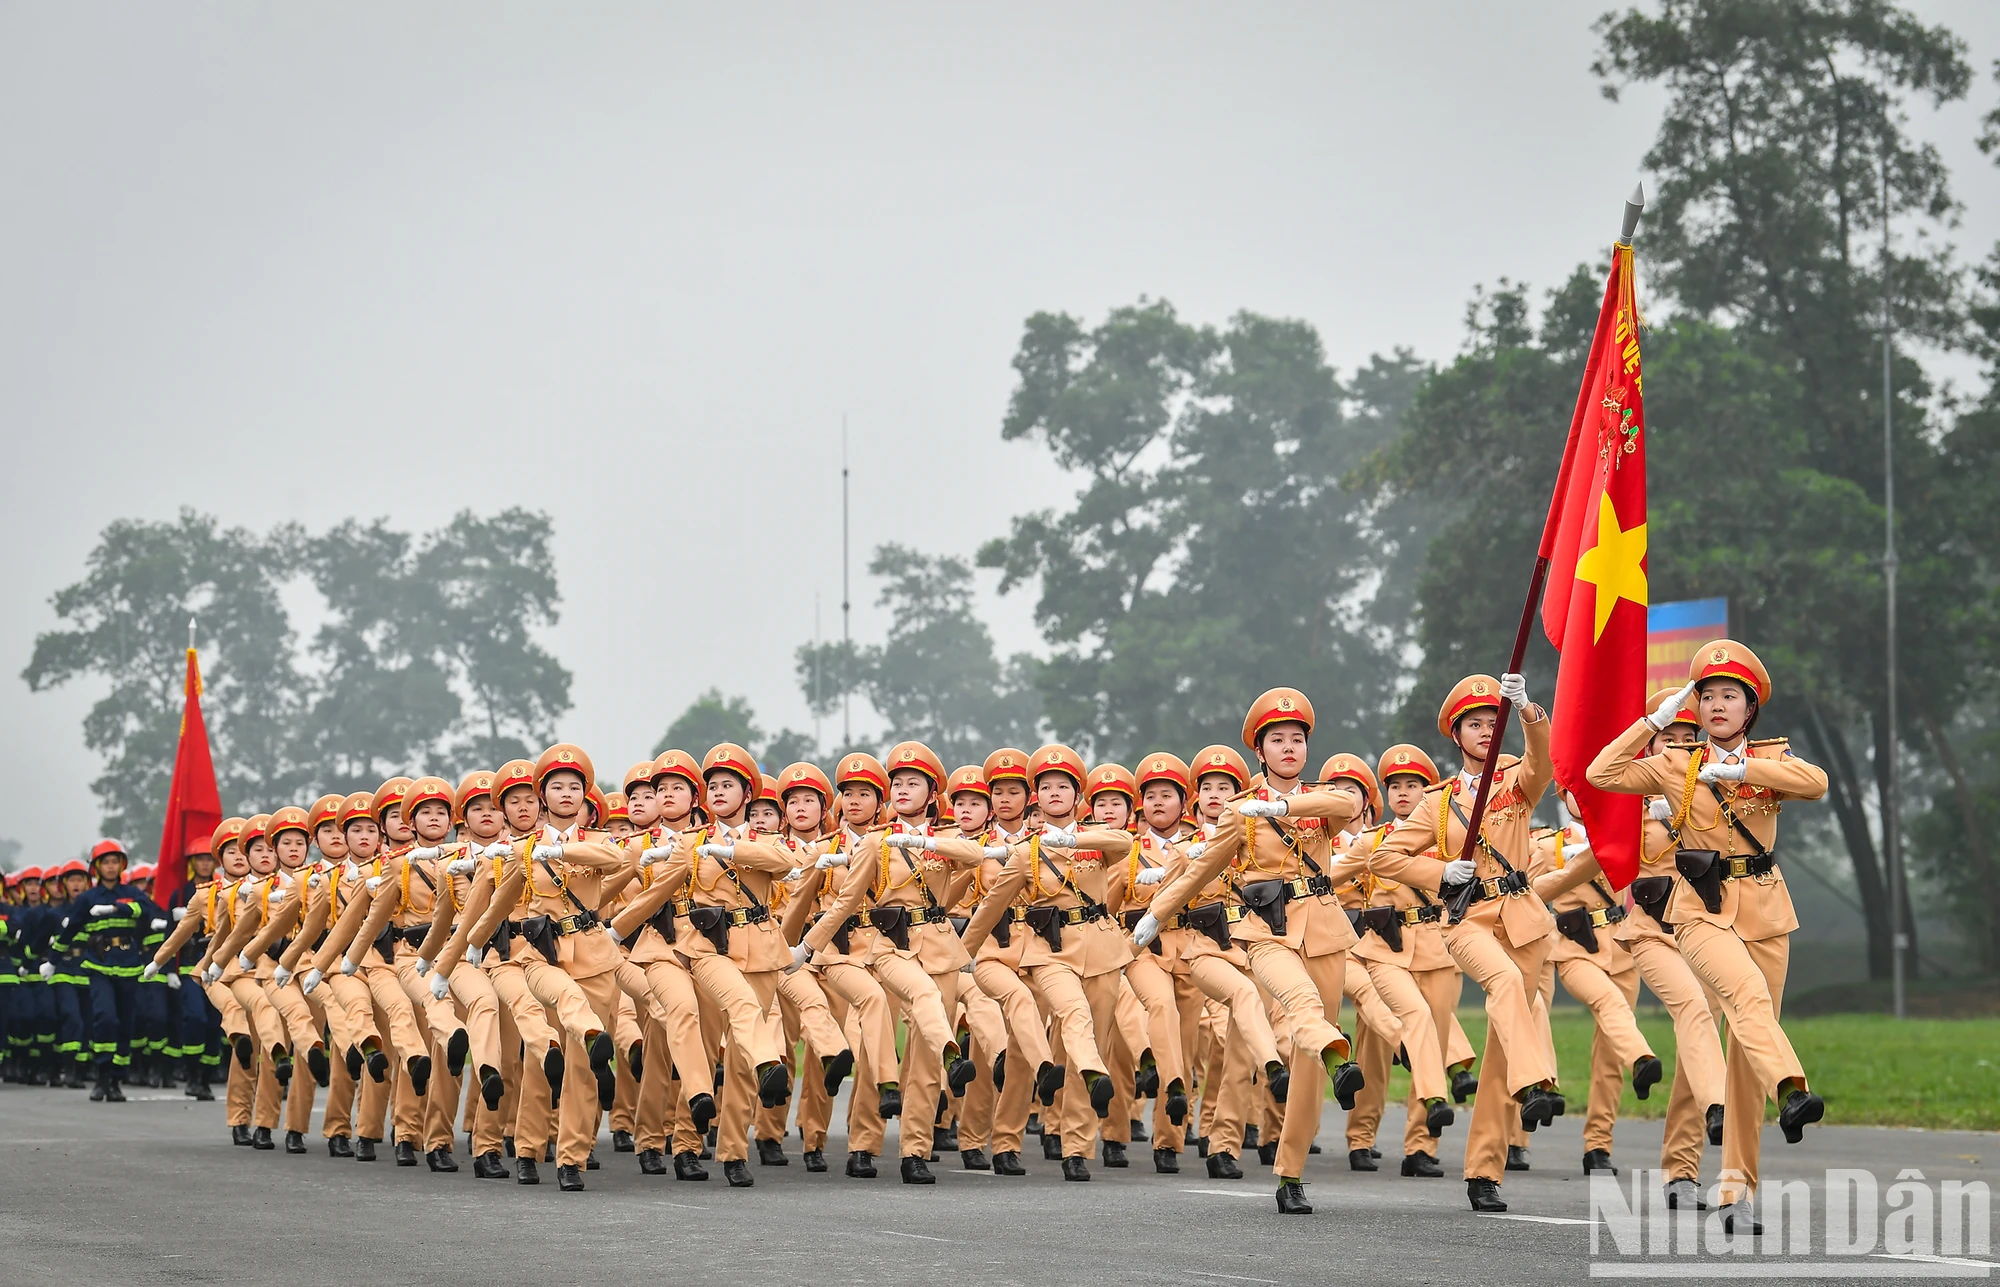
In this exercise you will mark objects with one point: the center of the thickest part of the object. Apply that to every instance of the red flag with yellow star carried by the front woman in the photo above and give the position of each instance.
(1595, 543)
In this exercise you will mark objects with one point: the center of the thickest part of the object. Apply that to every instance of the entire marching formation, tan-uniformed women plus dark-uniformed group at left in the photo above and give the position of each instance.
(1049, 946)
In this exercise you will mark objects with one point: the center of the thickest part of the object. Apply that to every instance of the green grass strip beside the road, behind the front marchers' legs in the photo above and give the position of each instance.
(1939, 1074)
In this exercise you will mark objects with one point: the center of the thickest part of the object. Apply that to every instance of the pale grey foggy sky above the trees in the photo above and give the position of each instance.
(629, 265)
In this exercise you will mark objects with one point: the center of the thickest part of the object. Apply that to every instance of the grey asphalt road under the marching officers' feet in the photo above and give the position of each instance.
(155, 1192)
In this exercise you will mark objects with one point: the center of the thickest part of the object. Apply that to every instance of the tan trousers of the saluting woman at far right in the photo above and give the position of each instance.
(1749, 982)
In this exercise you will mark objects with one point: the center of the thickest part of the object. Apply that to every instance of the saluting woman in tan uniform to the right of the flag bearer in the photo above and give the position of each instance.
(1731, 910)
